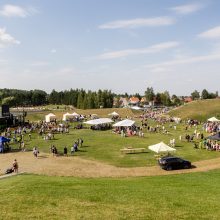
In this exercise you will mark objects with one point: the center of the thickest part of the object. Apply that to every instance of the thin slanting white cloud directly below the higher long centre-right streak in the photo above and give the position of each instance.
(152, 49)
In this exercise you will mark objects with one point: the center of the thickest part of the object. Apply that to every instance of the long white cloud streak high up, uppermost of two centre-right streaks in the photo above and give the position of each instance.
(139, 22)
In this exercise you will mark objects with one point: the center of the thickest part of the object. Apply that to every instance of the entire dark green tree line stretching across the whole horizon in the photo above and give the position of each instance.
(83, 99)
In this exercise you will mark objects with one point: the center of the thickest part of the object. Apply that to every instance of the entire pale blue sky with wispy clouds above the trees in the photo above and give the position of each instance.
(119, 45)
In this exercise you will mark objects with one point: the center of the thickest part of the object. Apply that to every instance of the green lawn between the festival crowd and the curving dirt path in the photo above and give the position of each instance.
(105, 146)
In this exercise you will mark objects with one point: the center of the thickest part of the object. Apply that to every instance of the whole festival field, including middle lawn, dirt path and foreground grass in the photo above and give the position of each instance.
(100, 182)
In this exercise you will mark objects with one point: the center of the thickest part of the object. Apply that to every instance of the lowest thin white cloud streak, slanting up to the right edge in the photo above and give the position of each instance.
(188, 60)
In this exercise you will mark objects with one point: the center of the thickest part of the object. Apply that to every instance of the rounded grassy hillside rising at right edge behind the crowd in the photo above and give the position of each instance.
(200, 110)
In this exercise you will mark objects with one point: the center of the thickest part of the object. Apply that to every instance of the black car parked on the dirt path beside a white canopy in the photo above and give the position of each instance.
(173, 163)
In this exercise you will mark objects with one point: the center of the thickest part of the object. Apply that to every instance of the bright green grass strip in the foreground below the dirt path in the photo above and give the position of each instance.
(188, 196)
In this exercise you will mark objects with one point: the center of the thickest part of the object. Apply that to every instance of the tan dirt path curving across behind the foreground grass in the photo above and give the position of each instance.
(76, 166)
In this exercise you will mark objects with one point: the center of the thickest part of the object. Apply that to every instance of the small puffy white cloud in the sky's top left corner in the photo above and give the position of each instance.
(17, 11)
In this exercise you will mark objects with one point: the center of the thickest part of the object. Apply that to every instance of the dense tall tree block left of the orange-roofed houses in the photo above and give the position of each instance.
(77, 97)
